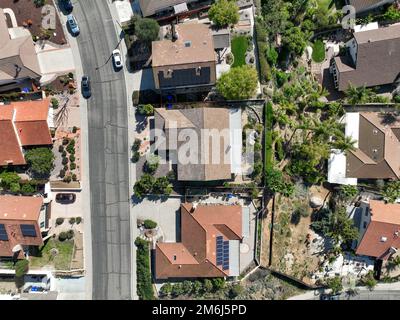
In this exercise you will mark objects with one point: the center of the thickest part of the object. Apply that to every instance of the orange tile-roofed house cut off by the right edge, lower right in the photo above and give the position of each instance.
(380, 235)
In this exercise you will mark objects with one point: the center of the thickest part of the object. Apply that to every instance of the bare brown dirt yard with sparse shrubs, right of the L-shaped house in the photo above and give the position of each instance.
(292, 253)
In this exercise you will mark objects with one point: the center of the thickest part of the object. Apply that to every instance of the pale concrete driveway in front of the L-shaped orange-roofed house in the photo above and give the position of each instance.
(165, 213)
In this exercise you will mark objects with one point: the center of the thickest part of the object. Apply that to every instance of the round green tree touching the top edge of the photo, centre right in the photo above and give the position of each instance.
(224, 13)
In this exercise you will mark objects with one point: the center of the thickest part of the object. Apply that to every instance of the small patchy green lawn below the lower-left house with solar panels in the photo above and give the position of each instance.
(44, 256)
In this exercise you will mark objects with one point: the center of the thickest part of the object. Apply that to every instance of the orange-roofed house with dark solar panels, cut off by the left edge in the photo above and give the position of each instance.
(22, 220)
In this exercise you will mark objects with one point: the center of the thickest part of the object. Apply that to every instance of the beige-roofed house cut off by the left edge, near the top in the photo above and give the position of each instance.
(18, 58)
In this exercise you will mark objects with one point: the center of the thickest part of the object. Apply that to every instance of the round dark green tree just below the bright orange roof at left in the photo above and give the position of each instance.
(40, 160)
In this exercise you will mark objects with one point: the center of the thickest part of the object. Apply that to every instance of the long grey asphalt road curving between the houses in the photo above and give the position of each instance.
(108, 153)
